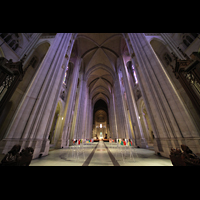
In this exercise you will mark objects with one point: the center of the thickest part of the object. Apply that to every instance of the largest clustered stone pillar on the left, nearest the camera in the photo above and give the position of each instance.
(32, 121)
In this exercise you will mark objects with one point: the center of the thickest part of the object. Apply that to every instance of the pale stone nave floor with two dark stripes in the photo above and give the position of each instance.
(101, 154)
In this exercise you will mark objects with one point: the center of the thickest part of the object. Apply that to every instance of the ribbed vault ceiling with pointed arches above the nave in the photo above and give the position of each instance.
(99, 52)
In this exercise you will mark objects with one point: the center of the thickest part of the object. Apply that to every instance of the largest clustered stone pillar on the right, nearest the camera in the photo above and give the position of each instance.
(170, 121)
